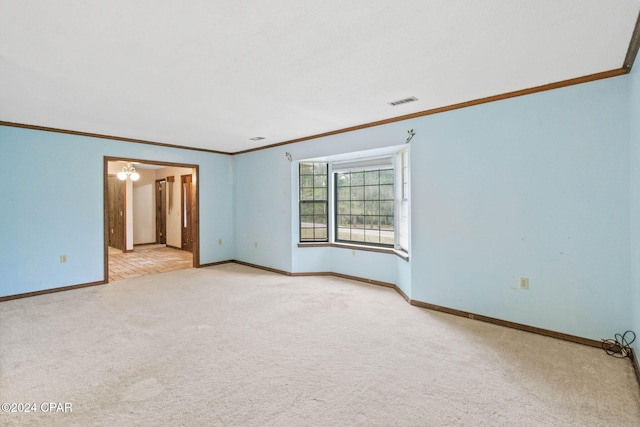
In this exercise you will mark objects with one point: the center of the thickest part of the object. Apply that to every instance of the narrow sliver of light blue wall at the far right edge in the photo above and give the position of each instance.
(634, 100)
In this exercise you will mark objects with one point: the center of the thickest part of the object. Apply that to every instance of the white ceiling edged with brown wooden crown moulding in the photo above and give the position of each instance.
(213, 74)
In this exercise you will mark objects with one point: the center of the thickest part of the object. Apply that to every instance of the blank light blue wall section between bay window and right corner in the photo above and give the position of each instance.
(535, 186)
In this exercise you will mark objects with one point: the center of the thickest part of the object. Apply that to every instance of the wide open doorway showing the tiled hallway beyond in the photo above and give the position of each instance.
(151, 222)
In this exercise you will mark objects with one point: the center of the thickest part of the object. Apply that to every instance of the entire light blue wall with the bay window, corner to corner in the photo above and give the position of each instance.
(535, 186)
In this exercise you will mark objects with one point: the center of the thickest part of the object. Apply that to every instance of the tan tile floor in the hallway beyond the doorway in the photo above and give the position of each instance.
(146, 260)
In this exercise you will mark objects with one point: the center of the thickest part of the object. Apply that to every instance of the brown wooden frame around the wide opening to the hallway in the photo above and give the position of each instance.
(105, 198)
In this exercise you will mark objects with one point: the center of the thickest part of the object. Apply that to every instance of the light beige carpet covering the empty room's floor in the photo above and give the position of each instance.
(235, 346)
